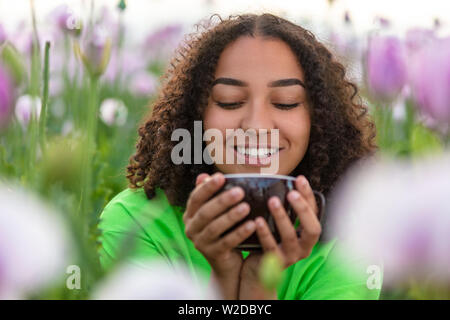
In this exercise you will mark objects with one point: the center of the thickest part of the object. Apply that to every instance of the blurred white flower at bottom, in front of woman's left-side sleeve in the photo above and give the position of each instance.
(153, 280)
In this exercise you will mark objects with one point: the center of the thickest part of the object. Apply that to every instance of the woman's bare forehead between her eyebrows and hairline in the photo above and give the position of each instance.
(251, 58)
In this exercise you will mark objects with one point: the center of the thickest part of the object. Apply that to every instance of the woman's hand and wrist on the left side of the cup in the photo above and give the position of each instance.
(207, 218)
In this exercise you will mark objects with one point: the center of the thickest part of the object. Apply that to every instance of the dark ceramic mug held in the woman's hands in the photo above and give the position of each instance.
(258, 189)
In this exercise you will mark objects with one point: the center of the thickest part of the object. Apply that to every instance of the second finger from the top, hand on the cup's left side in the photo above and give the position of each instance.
(211, 209)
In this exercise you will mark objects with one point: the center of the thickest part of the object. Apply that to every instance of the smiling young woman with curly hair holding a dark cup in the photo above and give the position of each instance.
(245, 72)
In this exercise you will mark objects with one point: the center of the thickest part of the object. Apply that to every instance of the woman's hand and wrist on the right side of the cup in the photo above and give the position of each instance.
(291, 249)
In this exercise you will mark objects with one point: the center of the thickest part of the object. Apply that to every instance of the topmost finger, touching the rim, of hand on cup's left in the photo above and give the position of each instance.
(202, 193)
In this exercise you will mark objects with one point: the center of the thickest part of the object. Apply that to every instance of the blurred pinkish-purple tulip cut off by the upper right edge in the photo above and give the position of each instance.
(430, 80)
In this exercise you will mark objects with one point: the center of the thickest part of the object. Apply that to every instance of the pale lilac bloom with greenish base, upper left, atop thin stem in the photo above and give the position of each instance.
(95, 51)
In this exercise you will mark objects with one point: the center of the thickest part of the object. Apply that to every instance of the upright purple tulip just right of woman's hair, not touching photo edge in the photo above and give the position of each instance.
(386, 66)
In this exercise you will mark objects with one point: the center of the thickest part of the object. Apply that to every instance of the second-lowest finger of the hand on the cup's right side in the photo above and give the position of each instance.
(284, 225)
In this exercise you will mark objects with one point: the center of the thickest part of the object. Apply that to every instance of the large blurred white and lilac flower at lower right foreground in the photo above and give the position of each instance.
(399, 212)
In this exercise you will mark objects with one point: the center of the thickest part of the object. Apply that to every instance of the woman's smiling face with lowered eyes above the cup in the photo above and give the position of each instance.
(247, 81)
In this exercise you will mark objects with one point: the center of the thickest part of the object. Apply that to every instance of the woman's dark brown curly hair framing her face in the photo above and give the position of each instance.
(342, 131)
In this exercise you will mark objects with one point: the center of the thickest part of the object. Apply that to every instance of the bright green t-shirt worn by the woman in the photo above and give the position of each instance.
(138, 228)
